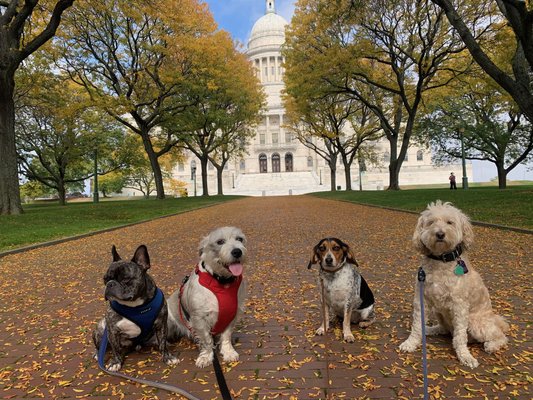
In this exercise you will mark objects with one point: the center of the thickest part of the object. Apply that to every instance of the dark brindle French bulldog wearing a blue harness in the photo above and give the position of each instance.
(137, 310)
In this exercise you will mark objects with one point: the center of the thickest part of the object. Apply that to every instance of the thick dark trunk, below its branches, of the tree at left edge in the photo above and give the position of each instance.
(9, 183)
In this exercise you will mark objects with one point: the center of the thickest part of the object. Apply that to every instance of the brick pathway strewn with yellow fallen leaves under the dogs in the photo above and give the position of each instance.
(51, 297)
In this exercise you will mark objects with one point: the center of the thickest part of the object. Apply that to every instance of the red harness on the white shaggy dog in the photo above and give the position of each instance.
(226, 294)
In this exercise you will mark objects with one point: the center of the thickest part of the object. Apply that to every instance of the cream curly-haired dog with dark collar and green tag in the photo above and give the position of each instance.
(454, 292)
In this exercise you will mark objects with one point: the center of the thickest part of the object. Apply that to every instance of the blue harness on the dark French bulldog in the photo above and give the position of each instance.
(143, 316)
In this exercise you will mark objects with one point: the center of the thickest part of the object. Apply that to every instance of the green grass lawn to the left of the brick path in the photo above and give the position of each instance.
(46, 221)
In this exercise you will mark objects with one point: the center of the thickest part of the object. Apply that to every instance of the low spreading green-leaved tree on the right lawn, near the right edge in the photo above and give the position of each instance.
(488, 122)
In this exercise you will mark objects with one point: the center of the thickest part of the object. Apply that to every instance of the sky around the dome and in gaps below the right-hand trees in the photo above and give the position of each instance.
(238, 17)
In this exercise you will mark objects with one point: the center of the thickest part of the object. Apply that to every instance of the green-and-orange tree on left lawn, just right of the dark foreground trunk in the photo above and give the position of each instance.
(57, 133)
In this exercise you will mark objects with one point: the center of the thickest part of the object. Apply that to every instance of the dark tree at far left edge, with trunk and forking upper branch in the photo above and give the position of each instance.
(24, 28)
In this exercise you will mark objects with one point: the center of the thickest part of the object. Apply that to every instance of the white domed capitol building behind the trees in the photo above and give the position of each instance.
(277, 163)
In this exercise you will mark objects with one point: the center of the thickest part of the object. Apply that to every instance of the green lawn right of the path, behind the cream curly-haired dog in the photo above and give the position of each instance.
(510, 207)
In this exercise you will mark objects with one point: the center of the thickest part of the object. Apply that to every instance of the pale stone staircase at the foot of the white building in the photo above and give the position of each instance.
(277, 184)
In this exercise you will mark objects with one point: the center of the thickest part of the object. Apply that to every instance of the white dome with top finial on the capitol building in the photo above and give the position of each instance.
(268, 31)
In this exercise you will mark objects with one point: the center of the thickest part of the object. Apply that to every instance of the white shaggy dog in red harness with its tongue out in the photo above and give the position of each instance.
(210, 301)
